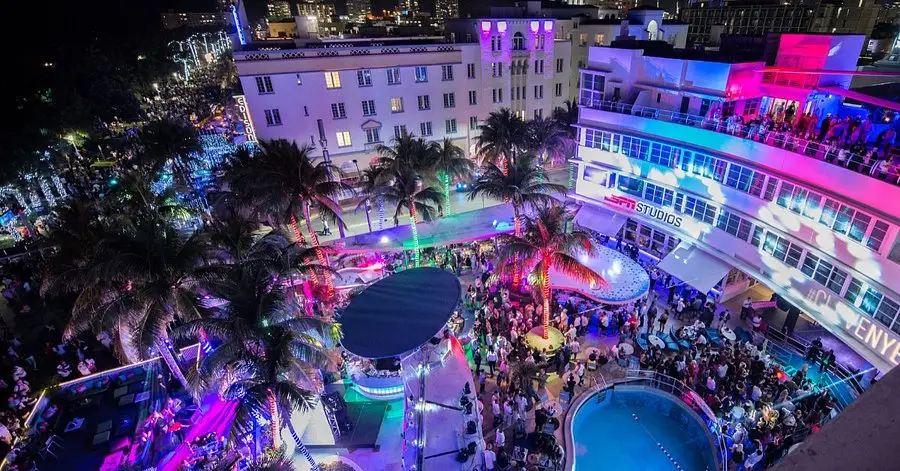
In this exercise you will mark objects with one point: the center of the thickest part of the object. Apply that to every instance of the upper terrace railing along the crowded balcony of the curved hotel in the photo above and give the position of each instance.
(883, 169)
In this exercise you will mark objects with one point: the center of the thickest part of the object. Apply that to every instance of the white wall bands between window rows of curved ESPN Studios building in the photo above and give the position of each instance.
(828, 308)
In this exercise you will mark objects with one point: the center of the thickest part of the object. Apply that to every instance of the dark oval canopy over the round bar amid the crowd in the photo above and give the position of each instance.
(399, 313)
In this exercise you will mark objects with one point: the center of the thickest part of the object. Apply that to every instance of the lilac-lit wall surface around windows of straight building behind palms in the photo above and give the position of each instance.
(302, 104)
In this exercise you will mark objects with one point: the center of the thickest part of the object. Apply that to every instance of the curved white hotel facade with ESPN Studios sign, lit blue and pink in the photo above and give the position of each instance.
(652, 166)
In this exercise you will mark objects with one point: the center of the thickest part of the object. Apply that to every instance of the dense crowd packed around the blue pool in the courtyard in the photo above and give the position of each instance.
(762, 411)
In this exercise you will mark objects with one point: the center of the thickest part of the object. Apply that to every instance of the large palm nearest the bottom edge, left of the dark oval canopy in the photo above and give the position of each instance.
(268, 358)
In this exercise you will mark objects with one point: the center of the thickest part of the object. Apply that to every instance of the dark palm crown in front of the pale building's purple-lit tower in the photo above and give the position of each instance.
(502, 137)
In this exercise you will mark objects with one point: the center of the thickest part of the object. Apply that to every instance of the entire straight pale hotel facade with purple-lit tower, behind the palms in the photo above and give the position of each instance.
(345, 97)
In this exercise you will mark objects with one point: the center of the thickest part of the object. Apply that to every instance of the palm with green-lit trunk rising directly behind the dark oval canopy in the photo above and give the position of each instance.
(411, 190)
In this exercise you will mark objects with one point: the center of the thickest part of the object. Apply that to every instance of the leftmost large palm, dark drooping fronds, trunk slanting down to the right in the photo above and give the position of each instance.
(137, 283)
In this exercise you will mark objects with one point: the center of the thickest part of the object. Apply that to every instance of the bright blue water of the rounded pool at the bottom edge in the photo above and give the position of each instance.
(607, 437)
